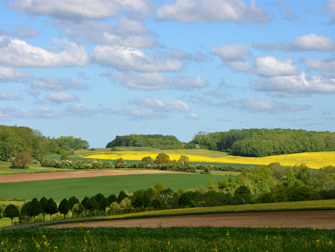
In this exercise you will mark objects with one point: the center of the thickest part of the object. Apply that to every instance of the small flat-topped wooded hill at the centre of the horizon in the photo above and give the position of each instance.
(155, 141)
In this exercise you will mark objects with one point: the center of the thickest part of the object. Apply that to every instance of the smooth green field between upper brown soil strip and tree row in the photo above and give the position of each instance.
(81, 187)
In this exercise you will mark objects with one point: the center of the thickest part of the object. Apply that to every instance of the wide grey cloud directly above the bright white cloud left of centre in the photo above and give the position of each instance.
(127, 33)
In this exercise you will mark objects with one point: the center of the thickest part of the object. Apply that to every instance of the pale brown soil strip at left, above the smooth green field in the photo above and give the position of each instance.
(75, 174)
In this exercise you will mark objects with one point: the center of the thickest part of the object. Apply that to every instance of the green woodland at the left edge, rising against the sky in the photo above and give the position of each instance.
(14, 140)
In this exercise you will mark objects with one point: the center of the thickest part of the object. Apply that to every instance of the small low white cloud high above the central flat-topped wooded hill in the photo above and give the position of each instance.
(161, 105)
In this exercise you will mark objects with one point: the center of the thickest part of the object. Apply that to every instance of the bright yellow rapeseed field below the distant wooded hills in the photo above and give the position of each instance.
(311, 159)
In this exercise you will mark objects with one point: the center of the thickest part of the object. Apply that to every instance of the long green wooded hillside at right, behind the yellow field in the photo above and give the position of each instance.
(265, 142)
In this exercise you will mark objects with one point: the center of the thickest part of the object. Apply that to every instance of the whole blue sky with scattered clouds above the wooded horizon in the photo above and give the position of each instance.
(102, 68)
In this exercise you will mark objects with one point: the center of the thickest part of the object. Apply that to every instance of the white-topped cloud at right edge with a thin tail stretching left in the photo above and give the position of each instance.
(311, 42)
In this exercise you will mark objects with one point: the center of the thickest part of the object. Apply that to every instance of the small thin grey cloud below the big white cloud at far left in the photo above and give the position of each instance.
(57, 84)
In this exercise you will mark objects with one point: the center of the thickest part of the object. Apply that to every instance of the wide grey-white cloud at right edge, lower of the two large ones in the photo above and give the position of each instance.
(294, 86)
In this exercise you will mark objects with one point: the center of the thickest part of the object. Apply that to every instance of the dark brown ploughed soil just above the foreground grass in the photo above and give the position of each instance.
(323, 219)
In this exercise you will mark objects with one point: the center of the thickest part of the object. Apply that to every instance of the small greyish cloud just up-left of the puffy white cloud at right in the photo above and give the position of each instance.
(231, 52)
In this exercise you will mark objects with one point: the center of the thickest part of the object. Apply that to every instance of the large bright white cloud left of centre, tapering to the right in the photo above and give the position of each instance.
(131, 59)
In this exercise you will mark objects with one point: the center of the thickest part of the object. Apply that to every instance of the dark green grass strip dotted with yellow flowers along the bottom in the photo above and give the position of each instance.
(201, 239)
